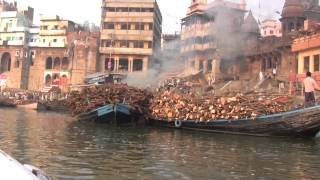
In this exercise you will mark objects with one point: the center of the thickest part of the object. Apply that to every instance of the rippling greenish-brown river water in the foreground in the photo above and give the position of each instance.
(67, 149)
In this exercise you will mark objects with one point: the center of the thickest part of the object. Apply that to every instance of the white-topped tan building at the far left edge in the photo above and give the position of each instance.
(14, 35)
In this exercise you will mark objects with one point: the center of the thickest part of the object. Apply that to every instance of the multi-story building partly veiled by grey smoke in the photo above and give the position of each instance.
(211, 35)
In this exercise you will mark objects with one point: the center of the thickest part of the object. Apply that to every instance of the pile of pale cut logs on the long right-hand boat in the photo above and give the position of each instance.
(178, 106)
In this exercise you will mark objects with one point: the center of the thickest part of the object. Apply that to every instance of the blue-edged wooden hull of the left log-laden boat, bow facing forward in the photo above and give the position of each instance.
(118, 114)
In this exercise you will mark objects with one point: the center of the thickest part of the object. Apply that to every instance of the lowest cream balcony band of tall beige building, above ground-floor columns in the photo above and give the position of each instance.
(126, 51)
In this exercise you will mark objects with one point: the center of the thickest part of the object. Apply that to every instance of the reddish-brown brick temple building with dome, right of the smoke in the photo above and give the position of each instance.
(276, 52)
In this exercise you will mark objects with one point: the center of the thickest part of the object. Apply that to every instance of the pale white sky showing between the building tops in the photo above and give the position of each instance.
(172, 10)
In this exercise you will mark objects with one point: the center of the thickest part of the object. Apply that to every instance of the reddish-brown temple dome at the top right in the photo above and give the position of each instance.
(293, 8)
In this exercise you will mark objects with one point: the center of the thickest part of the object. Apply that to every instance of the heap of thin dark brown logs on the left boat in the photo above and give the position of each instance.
(97, 96)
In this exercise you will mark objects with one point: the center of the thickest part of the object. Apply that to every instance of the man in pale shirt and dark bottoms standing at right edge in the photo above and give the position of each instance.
(310, 85)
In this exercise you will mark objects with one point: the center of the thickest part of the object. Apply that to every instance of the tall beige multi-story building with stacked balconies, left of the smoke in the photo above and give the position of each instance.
(130, 33)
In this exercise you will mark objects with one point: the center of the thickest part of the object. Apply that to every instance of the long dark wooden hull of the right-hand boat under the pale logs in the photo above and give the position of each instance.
(296, 123)
